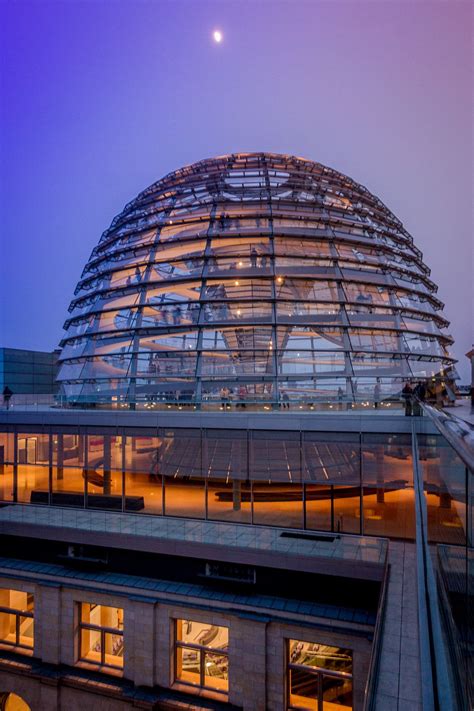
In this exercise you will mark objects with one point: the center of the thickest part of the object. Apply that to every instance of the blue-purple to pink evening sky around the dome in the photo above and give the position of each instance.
(100, 99)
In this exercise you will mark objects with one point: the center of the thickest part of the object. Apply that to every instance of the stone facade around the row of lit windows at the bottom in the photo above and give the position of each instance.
(257, 651)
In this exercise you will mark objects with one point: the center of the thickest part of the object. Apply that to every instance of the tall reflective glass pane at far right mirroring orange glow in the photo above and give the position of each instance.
(446, 463)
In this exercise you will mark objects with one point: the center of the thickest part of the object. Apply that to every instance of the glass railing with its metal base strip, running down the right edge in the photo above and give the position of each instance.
(443, 447)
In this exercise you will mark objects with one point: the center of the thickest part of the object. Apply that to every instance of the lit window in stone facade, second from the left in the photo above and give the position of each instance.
(101, 635)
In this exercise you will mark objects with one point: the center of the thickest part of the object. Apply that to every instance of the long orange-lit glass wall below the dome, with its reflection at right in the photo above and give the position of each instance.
(329, 481)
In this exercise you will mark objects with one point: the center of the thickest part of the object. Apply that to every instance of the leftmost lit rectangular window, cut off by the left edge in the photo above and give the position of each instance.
(16, 618)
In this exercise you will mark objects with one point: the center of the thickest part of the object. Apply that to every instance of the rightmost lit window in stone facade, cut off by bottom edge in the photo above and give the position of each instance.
(319, 677)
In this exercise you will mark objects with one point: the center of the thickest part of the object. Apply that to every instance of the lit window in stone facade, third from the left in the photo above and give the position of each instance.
(202, 655)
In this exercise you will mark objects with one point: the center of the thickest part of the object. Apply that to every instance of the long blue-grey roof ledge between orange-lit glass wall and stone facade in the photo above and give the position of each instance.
(357, 557)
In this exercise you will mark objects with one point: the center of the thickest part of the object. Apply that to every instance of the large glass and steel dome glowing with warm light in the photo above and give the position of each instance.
(252, 278)
